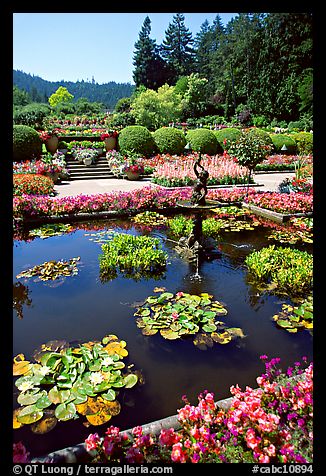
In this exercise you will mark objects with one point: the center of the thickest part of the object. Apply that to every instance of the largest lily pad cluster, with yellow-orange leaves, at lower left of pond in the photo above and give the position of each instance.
(66, 381)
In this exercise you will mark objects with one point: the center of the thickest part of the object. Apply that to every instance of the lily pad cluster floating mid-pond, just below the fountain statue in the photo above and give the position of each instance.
(183, 314)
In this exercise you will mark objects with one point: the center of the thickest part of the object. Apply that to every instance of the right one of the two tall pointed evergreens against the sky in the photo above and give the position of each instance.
(176, 48)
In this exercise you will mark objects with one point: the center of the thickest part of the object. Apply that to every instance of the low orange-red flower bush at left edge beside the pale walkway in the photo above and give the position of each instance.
(32, 184)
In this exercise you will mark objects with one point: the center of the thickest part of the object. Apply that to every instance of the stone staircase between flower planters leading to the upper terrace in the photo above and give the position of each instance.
(98, 170)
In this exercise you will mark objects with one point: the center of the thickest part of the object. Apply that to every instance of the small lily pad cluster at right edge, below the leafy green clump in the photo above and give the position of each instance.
(293, 318)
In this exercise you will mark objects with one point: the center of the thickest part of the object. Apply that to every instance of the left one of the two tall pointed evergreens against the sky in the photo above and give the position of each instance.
(150, 69)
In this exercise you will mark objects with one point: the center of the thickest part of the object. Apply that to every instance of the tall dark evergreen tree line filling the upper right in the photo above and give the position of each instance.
(259, 63)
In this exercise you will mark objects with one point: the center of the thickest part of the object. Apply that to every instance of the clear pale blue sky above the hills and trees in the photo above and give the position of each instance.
(76, 46)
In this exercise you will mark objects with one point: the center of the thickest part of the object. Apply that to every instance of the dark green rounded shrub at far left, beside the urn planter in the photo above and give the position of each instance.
(27, 144)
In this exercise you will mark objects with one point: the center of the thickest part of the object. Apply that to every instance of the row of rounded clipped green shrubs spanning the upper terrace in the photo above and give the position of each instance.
(167, 140)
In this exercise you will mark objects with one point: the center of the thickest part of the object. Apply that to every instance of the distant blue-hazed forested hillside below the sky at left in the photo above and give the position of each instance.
(40, 89)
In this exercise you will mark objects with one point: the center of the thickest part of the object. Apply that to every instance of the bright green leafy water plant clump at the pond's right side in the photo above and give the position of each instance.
(289, 271)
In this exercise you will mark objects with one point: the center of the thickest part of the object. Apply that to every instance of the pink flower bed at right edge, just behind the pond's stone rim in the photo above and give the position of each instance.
(281, 202)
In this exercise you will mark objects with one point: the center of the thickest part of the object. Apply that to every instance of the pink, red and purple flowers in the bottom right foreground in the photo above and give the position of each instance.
(270, 424)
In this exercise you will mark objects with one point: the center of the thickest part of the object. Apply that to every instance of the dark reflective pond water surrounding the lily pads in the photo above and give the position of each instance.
(83, 308)
